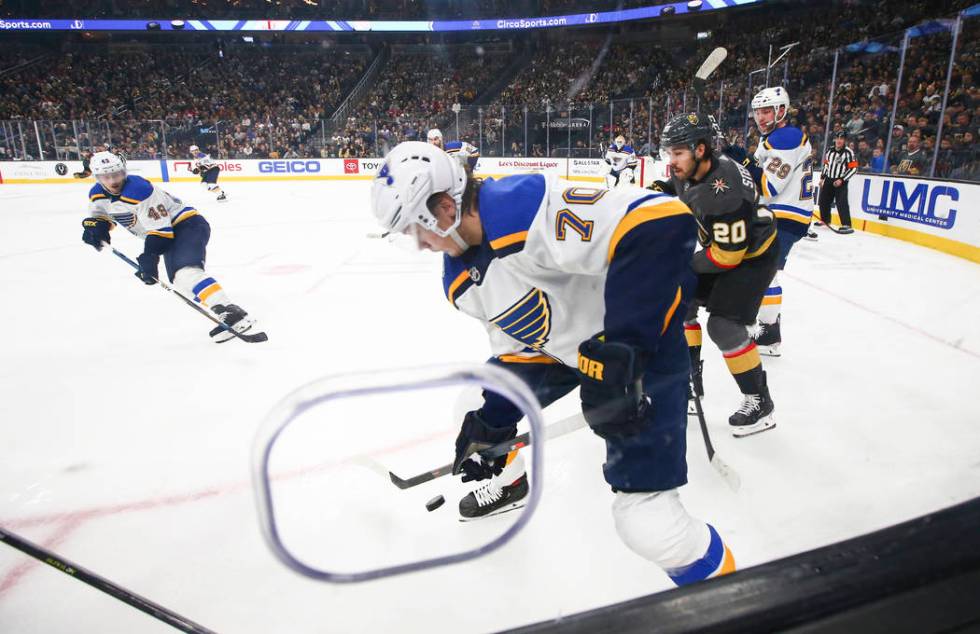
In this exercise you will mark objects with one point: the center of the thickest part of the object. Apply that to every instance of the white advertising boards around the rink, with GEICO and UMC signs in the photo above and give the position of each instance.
(941, 215)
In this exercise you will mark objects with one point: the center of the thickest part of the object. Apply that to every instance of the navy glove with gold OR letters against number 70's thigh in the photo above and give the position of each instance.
(613, 401)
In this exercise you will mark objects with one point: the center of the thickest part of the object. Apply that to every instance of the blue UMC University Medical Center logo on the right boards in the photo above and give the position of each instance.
(925, 203)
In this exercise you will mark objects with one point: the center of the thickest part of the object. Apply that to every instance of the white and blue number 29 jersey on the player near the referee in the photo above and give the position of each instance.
(786, 185)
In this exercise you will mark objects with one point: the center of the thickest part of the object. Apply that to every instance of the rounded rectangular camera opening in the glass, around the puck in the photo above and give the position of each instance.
(344, 474)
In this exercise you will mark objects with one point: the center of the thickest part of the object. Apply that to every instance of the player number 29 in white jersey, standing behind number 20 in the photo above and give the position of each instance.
(784, 157)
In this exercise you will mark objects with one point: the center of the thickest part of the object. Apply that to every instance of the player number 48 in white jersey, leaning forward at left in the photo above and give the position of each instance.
(169, 228)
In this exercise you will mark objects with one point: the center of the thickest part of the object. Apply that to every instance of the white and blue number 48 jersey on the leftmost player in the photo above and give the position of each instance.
(140, 207)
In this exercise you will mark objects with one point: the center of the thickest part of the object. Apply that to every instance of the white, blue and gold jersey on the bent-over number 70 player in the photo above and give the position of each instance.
(538, 281)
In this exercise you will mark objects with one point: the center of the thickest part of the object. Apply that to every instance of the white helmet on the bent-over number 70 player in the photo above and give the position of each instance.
(411, 173)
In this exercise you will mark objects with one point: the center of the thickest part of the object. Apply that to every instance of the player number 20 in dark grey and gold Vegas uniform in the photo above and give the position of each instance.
(734, 267)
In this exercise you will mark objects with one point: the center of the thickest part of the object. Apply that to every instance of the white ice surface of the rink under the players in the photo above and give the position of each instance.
(128, 433)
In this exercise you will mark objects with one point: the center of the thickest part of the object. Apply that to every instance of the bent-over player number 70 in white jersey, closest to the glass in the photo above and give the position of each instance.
(577, 286)
